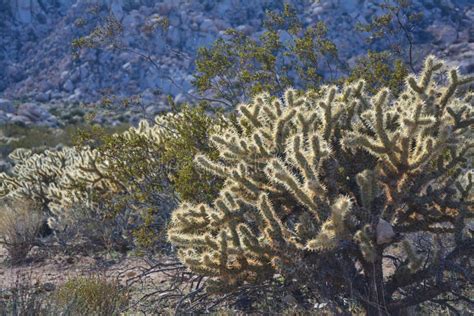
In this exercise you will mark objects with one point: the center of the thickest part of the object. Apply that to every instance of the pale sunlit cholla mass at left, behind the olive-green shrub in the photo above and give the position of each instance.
(59, 179)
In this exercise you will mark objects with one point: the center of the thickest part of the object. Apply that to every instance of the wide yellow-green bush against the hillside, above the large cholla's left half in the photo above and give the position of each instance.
(287, 53)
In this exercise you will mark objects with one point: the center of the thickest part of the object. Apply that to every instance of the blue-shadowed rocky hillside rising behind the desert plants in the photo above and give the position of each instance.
(36, 61)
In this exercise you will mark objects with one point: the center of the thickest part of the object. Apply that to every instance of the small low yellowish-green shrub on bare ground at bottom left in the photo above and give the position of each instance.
(90, 296)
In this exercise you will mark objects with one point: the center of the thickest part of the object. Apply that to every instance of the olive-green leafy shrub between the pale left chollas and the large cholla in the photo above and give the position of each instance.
(152, 167)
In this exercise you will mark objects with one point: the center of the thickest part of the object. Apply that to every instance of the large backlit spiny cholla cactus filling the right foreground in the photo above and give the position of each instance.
(321, 187)
